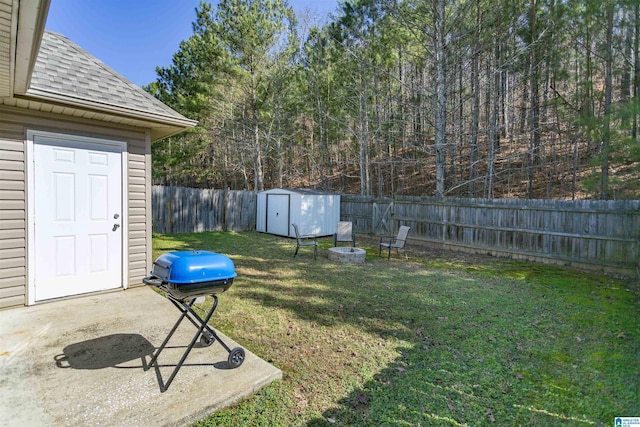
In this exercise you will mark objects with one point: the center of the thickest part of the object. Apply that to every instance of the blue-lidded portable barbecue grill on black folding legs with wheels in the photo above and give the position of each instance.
(184, 277)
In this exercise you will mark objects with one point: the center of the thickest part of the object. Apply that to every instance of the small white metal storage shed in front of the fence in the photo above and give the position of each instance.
(315, 212)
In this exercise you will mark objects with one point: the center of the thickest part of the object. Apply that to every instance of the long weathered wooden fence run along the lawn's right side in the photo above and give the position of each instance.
(602, 235)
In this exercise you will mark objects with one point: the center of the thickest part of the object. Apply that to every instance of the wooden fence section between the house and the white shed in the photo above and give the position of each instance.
(189, 210)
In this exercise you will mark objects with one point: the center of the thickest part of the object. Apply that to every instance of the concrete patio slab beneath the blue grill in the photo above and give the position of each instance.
(81, 362)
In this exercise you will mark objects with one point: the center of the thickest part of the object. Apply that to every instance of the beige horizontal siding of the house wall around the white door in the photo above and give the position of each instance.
(14, 124)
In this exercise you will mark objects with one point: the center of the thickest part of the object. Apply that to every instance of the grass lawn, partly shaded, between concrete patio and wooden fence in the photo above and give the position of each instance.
(435, 339)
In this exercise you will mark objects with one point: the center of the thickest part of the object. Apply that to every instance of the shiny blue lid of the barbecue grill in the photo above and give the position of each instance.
(193, 267)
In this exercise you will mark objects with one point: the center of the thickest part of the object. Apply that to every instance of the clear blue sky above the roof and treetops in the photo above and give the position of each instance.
(135, 36)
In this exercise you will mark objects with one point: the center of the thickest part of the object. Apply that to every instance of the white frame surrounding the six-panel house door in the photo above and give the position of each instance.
(30, 201)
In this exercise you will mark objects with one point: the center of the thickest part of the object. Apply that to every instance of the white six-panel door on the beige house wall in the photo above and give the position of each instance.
(77, 207)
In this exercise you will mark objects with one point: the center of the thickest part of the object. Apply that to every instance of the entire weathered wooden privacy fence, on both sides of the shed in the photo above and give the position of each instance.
(602, 235)
